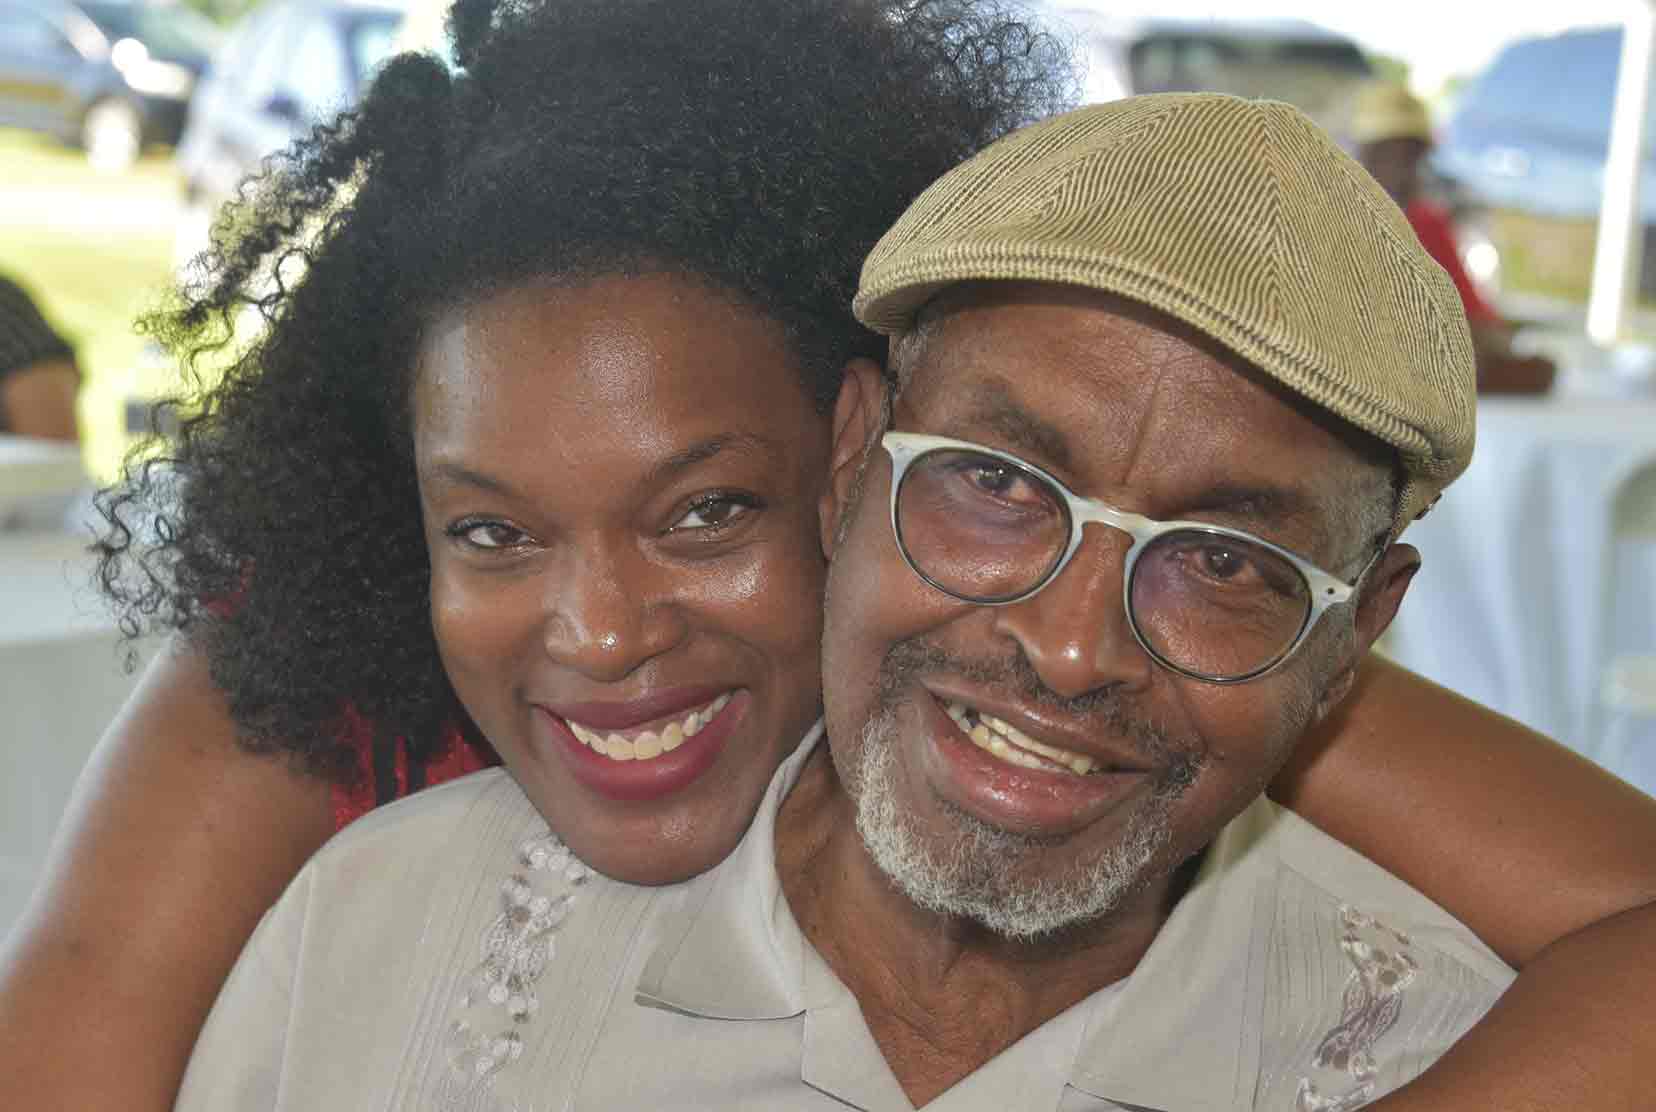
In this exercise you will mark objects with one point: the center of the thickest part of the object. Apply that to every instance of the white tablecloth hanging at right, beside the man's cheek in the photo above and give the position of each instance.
(1524, 594)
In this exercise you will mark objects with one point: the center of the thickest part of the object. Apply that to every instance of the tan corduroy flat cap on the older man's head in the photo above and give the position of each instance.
(1238, 218)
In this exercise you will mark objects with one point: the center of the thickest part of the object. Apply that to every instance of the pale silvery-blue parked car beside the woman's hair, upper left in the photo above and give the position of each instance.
(286, 67)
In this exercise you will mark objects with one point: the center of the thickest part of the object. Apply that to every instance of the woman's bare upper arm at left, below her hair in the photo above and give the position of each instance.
(173, 846)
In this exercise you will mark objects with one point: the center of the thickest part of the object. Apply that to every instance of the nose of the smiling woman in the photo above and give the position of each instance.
(610, 614)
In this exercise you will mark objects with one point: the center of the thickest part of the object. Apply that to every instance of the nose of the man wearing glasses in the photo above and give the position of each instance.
(1076, 631)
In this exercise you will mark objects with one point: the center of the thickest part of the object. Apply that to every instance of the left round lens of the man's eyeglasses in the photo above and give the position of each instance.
(980, 528)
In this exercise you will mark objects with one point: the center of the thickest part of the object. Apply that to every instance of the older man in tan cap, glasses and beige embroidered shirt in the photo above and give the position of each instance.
(1173, 374)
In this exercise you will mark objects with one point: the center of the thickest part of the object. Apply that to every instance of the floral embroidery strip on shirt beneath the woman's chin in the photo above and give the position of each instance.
(499, 995)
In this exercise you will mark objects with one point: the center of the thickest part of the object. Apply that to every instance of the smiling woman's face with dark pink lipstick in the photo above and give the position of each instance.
(620, 486)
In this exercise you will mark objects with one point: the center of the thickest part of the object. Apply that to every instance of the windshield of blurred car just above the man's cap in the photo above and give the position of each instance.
(1311, 74)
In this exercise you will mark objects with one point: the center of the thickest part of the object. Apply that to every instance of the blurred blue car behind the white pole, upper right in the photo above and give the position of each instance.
(1533, 135)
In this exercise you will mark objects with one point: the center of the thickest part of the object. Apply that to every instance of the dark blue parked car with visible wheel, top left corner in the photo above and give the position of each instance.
(108, 75)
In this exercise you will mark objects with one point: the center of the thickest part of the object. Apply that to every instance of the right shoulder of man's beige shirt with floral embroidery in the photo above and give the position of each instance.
(1312, 977)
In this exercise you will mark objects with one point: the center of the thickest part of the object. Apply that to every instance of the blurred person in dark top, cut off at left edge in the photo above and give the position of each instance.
(39, 377)
